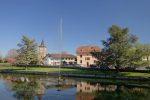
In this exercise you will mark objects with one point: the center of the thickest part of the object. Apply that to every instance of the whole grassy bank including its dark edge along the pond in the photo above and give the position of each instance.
(71, 72)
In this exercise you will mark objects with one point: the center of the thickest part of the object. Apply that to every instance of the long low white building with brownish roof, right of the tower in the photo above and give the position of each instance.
(55, 59)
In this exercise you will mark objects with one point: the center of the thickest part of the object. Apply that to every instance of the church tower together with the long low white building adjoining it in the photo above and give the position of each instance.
(55, 58)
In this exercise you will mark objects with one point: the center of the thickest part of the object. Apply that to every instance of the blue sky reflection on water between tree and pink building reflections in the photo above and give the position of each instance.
(53, 94)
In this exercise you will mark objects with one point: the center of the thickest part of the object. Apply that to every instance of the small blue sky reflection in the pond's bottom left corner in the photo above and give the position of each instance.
(4, 93)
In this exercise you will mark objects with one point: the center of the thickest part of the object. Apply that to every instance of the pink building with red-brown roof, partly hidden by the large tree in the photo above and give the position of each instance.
(84, 57)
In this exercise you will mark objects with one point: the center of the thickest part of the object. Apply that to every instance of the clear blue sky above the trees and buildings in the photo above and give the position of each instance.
(85, 22)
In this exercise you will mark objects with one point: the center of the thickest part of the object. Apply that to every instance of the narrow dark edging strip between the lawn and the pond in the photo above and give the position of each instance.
(102, 76)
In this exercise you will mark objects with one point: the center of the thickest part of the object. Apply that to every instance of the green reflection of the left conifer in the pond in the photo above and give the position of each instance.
(28, 90)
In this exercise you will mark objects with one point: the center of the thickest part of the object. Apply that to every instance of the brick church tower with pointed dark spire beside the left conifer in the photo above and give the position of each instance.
(42, 50)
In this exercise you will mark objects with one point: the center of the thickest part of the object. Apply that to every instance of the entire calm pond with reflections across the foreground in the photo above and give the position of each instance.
(38, 87)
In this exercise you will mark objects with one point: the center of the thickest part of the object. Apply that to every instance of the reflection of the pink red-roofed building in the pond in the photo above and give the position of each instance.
(87, 91)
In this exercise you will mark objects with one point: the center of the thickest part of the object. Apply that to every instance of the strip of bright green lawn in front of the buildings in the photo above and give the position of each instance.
(69, 70)
